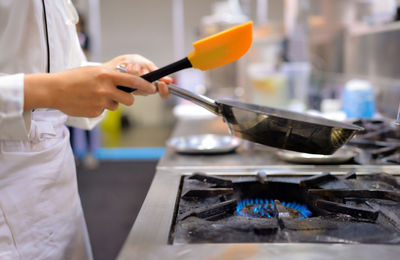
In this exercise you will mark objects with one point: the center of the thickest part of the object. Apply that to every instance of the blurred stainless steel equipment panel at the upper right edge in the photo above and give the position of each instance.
(371, 52)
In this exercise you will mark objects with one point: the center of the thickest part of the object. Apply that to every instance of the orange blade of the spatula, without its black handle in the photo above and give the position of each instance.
(222, 48)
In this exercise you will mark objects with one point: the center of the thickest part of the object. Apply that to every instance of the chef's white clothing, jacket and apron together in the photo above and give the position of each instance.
(40, 211)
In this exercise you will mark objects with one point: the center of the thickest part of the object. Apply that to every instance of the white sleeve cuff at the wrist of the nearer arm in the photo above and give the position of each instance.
(14, 123)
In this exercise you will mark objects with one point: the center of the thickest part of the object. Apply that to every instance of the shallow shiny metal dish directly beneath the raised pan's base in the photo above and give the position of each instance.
(342, 155)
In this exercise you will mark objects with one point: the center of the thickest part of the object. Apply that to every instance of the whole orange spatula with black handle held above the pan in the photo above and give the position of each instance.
(208, 53)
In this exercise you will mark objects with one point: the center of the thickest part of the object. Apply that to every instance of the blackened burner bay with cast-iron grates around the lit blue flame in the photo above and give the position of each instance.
(322, 208)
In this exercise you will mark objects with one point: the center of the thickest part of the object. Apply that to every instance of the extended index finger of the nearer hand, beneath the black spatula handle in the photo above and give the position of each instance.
(131, 81)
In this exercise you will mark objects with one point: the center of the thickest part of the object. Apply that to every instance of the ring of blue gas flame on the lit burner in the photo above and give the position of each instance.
(265, 208)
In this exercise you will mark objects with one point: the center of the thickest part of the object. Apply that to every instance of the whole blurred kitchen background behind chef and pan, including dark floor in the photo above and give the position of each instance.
(337, 58)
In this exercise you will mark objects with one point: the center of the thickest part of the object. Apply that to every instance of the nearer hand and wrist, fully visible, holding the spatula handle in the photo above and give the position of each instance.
(84, 91)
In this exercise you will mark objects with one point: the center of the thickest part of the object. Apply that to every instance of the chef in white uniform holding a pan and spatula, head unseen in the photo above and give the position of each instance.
(43, 85)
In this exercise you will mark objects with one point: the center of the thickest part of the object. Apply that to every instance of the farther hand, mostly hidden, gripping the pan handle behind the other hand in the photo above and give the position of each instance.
(138, 65)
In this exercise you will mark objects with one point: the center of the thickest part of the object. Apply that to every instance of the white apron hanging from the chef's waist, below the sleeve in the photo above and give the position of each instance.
(40, 212)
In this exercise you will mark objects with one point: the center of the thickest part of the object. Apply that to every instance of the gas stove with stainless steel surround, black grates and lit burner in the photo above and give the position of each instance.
(283, 212)
